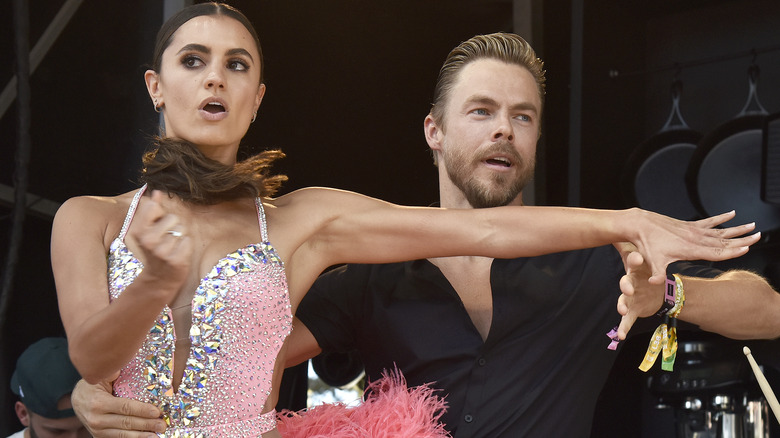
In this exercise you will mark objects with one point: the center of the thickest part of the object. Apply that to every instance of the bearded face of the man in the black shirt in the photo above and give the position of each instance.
(488, 144)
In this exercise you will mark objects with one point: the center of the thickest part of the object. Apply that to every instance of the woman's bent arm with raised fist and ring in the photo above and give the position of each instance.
(103, 338)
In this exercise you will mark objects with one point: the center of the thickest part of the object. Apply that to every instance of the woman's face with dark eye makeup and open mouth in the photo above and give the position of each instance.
(209, 84)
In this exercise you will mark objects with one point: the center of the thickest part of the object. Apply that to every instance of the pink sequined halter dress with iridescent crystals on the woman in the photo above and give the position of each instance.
(240, 318)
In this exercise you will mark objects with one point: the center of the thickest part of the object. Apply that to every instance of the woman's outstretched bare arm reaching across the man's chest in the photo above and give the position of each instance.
(355, 228)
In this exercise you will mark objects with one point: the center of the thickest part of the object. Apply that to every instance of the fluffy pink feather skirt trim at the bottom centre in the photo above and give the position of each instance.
(391, 410)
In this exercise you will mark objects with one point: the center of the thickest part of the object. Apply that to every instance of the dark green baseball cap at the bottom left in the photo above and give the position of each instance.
(44, 373)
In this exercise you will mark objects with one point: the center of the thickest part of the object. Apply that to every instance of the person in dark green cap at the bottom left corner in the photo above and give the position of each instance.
(44, 379)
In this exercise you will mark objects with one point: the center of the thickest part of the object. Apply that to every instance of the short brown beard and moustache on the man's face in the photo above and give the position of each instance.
(498, 189)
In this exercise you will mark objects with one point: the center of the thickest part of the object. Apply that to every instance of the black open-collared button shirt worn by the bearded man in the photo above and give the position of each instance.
(541, 367)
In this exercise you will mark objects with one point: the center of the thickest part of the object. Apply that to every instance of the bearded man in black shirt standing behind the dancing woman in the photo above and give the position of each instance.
(518, 347)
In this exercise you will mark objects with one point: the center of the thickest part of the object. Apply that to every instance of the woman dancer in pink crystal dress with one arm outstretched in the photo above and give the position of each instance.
(167, 243)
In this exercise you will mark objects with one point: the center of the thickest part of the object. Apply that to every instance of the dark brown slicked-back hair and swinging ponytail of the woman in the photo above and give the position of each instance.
(177, 167)
